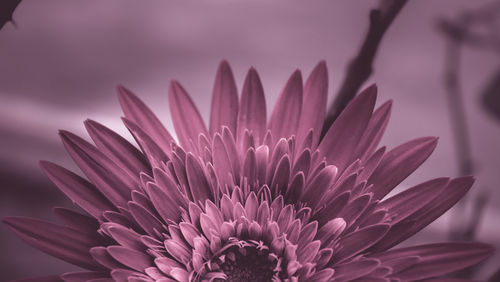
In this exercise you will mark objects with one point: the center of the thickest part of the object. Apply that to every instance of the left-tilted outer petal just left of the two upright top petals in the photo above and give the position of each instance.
(187, 121)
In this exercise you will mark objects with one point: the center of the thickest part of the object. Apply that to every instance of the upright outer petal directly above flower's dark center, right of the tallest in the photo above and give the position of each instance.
(252, 112)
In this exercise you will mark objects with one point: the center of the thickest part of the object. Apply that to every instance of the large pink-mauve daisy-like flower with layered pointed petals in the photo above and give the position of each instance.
(249, 199)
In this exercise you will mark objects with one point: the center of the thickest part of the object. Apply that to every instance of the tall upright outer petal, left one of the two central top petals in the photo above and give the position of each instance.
(224, 110)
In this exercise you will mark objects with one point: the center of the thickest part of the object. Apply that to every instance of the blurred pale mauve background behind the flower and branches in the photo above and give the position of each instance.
(61, 63)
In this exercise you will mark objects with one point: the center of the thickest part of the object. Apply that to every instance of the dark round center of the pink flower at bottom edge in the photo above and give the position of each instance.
(248, 264)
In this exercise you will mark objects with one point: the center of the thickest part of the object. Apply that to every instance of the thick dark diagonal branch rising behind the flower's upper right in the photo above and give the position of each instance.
(361, 66)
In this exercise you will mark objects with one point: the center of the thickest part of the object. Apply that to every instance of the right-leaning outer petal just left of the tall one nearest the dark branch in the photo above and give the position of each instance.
(286, 114)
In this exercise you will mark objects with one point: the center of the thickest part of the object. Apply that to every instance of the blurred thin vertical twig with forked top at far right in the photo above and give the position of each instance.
(459, 34)
